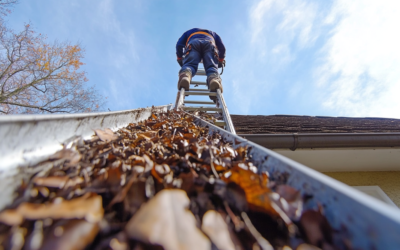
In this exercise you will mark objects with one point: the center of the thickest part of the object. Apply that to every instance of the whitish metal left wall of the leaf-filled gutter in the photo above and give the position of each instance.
(28, 139)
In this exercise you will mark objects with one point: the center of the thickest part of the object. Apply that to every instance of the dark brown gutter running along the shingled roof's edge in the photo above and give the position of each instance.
(324, 140)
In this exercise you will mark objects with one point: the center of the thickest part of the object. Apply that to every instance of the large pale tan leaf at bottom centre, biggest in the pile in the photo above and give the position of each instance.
(165, 220)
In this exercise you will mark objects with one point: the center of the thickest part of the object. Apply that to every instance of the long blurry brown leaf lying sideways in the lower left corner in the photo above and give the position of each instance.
(87, 207)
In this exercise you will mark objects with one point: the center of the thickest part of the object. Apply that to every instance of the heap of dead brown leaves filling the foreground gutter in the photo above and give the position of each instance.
(164, 183)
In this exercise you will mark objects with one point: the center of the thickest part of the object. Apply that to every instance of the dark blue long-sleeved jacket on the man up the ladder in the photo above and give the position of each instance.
(197, 33)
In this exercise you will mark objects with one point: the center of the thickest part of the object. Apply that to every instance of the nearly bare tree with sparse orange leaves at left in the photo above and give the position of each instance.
(38, 77)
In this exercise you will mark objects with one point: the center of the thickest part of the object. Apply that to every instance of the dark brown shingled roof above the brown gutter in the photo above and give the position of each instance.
(288, 124)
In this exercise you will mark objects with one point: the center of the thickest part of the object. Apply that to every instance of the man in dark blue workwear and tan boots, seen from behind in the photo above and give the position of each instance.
(195, 45)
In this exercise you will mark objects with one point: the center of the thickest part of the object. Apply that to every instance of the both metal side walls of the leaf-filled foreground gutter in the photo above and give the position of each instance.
(366, 222)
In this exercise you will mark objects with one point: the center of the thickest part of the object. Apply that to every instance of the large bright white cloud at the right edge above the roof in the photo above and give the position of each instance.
(360, 74)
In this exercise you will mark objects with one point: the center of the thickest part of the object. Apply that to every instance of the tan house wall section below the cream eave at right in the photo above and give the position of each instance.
(388, 181)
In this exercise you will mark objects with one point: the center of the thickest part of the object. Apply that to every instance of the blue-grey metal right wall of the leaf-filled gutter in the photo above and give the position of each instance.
(366, 222)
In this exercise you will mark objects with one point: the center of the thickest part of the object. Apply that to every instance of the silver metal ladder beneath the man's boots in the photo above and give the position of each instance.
(219, 107)
